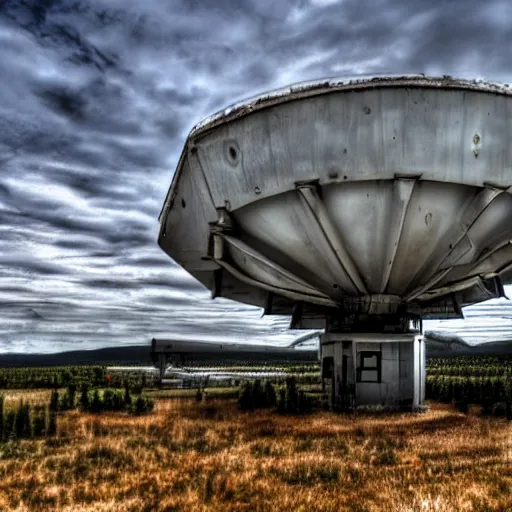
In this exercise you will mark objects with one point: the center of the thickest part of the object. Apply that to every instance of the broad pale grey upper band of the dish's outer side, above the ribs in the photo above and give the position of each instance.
(447, 136)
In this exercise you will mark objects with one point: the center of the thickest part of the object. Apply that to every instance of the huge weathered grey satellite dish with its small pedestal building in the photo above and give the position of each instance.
(359, 206)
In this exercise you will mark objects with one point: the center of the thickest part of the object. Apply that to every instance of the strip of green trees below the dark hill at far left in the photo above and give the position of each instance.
(64, 376)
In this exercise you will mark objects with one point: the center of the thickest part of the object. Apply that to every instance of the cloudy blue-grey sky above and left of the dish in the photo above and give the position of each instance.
(96, 100)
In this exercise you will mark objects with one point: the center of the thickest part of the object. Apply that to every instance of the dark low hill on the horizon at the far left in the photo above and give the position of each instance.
(133, 355)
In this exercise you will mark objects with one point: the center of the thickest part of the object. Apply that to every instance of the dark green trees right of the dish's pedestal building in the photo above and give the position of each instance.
(484, 380)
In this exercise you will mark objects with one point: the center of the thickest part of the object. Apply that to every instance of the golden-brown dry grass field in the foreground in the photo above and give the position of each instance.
(188, 456)
